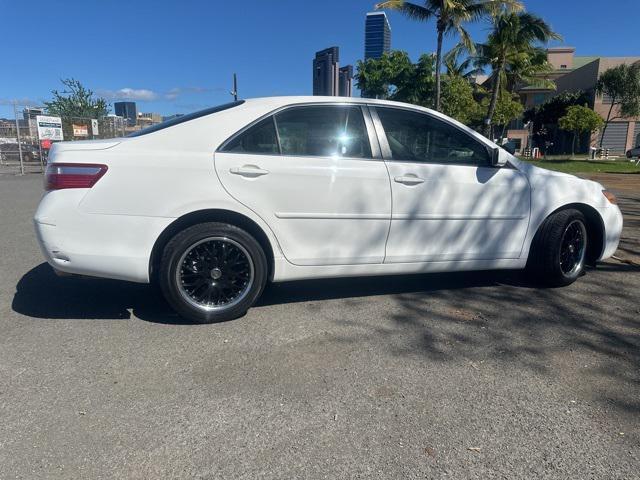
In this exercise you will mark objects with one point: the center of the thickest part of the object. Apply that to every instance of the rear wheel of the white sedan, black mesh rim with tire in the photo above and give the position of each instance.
(212, 272)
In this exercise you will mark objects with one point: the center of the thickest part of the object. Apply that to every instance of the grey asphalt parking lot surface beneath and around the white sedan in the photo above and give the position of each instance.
(471, 375)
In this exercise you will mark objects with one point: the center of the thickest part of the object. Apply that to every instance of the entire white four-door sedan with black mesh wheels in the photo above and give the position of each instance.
(214, 204)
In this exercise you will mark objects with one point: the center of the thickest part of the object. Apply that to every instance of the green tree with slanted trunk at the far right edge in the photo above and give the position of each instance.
(621, 85)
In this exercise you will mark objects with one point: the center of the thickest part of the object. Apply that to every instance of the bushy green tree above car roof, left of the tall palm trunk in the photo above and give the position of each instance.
(393, 76)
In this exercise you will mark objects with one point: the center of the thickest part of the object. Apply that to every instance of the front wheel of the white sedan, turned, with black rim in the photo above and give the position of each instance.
(559, 249)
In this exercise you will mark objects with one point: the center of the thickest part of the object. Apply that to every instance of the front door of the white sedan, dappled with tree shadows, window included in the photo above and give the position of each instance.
(449, 203)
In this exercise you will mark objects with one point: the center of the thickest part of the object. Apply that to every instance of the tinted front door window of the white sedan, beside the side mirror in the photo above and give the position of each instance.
(418, 137)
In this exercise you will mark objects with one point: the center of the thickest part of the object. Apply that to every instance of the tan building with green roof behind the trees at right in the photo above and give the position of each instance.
(573, 73)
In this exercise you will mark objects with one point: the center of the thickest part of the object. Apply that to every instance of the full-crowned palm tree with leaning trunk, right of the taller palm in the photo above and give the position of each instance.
(514, 54)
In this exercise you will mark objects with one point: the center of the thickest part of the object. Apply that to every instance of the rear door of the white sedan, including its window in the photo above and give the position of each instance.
(308, 171)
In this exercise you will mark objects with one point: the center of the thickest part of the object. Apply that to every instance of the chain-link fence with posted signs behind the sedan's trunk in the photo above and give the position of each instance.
(25, 139)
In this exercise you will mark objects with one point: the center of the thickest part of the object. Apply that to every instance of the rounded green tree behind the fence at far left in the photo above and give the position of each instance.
(76, 101)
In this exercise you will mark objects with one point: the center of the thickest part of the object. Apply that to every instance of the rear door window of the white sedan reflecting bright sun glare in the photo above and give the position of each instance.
(323, 130)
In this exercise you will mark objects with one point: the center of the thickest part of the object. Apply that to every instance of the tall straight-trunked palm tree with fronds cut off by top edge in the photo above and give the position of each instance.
(450, 15)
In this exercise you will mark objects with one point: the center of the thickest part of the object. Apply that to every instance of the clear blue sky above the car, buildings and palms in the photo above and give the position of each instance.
(178, 56)
